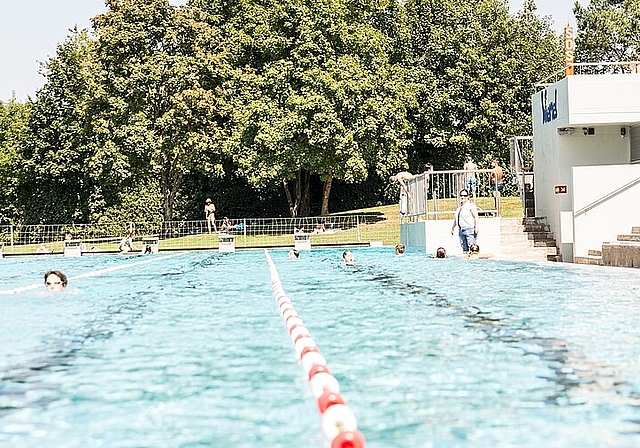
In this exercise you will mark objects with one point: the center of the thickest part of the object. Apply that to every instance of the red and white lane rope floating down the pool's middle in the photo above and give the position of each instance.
(338, 420)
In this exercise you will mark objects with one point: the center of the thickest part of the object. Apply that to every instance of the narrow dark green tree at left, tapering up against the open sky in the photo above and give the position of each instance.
(60, 182)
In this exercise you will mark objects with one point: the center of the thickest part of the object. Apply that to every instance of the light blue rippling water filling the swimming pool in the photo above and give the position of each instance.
(190, 350)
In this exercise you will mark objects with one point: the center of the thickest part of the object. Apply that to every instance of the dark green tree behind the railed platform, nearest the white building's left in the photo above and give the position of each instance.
(477, 67)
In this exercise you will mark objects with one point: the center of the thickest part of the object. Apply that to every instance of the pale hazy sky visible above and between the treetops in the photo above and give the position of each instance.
(31, 30)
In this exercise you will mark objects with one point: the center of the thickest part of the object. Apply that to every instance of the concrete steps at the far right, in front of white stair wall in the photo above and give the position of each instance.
(624, 252)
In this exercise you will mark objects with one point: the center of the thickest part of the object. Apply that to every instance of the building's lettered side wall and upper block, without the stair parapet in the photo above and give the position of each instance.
(562, 115)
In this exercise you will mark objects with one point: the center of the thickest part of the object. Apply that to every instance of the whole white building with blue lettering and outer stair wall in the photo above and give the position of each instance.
(586, 140)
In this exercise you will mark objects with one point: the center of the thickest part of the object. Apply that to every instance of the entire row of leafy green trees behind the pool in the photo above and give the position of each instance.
(162, 107)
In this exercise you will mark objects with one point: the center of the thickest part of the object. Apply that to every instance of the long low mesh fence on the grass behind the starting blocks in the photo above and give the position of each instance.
(339, 230)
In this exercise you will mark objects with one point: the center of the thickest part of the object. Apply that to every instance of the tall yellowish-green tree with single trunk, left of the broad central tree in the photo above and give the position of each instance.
(160, 104)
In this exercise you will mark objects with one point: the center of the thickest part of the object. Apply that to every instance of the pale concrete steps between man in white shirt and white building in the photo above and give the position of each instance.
(527, 239)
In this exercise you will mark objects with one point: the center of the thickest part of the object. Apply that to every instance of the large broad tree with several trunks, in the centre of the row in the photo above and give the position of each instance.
(317, 95)
